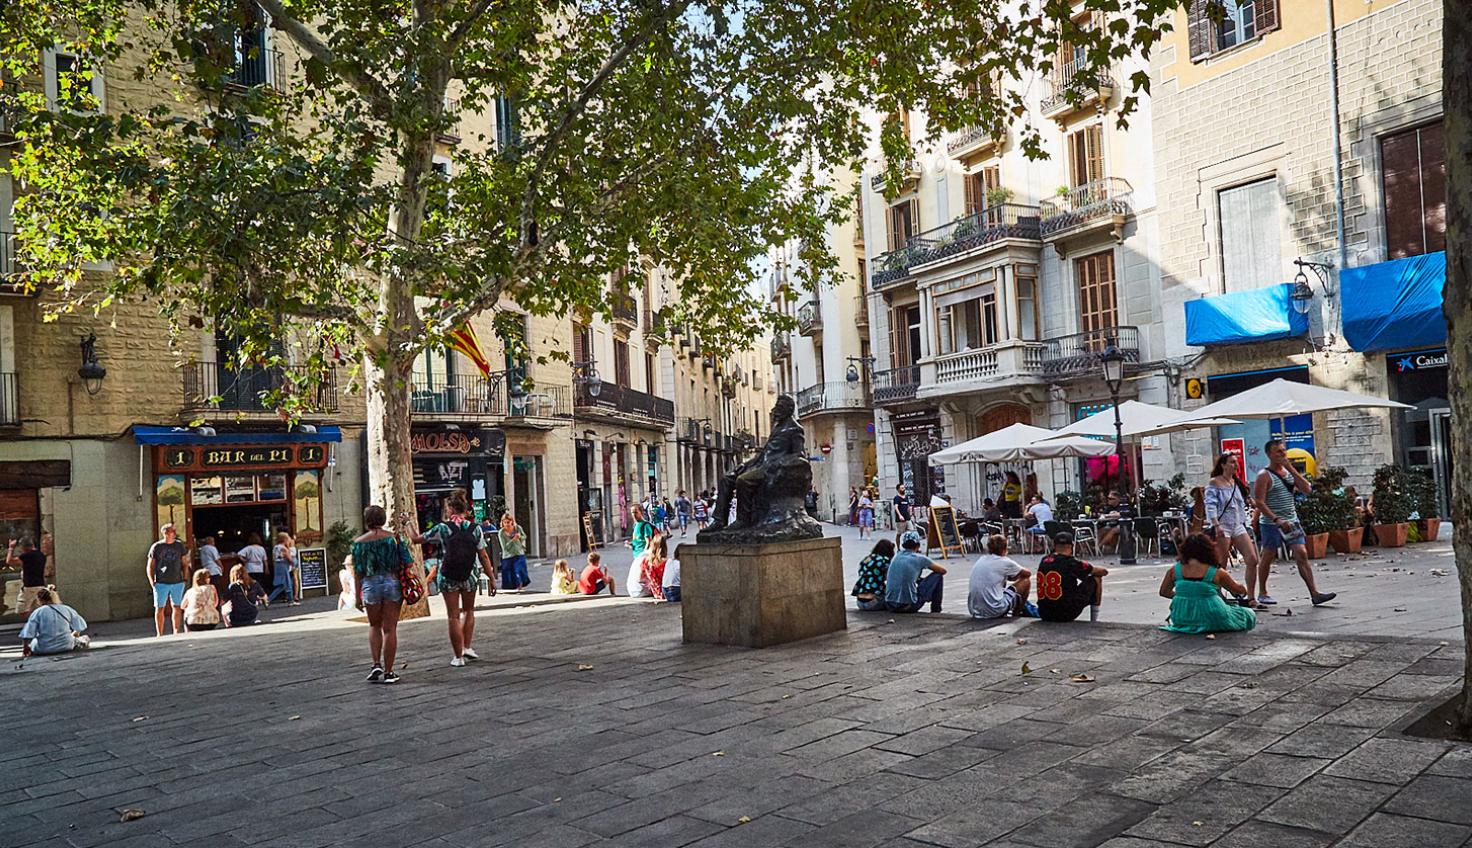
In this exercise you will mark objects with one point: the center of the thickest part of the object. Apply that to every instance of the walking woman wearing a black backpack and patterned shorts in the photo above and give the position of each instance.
(461, 548)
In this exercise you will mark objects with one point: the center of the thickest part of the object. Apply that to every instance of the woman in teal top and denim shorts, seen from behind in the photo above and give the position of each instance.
(379, 559)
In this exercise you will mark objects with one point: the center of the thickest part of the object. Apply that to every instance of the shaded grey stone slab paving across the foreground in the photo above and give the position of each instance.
(591, 724)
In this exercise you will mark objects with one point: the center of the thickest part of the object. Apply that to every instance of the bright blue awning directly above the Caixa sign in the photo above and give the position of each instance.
(1398, 304)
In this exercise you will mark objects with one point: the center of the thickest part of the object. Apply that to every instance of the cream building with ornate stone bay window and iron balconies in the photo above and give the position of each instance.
(996, 282)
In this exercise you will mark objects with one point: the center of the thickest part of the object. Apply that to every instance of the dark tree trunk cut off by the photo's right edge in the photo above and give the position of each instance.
(1457, 79)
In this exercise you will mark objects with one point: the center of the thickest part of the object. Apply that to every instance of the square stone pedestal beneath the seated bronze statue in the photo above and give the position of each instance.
(760, 596)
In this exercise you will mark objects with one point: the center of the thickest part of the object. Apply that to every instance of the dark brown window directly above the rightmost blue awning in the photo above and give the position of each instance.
(1415, 183)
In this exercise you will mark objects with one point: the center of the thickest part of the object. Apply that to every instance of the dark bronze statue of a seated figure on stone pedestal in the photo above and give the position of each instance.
(769, 490)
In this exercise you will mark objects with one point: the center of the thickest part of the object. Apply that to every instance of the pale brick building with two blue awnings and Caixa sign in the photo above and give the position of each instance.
(1249, 152)
